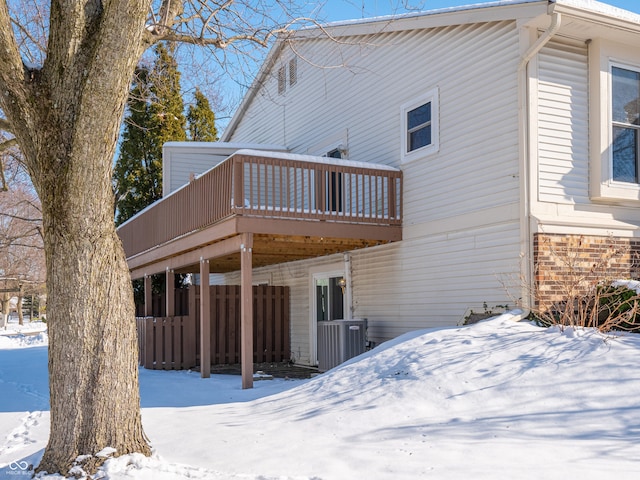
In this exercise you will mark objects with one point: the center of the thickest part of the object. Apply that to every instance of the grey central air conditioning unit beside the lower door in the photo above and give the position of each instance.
(340, 340)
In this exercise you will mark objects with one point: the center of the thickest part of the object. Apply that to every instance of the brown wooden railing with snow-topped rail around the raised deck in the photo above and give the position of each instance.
(270, 187)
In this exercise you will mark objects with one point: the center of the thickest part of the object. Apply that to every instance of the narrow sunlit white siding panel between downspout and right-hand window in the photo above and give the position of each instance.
(563, 129)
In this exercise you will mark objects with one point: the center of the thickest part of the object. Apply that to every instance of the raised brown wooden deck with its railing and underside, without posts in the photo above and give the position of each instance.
(294, 207)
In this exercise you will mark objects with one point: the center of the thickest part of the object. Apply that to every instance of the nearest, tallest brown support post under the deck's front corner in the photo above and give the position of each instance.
(246, 310)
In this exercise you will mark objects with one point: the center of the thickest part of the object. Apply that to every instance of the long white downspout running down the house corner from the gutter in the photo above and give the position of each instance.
(525, 166)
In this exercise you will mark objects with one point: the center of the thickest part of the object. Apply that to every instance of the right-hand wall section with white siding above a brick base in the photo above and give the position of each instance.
(580, 240)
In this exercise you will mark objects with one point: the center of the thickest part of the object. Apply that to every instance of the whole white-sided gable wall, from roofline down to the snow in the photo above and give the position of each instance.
(461, 237)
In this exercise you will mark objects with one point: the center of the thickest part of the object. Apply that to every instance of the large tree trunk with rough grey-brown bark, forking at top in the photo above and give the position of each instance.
(66, 117)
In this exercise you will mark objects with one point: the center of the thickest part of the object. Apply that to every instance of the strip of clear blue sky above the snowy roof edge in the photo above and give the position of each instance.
(333, 10)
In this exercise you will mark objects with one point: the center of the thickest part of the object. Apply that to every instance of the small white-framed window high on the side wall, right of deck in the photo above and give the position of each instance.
(420, 126)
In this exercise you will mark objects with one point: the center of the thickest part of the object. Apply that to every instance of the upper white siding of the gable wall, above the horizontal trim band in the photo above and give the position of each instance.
(476, 166)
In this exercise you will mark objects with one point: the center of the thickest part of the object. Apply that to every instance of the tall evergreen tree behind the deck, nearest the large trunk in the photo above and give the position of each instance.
(155, 116)
